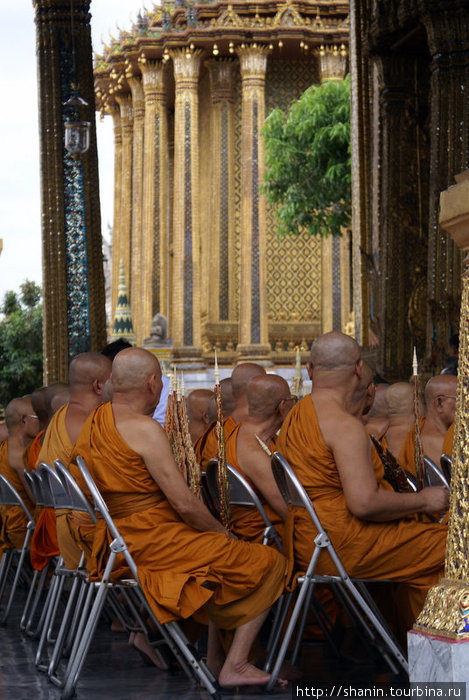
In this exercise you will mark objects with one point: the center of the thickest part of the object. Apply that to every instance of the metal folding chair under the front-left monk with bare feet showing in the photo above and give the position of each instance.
(171, 634)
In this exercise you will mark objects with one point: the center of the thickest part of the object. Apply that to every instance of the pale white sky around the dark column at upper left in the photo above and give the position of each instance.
(20, 207)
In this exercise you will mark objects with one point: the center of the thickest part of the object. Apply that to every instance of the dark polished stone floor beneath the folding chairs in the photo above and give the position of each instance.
(115, 670)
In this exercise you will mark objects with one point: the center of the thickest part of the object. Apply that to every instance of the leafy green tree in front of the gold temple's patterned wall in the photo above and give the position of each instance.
(308, 174)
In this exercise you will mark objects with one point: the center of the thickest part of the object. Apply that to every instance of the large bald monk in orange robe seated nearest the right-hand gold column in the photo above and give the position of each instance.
(368, 524)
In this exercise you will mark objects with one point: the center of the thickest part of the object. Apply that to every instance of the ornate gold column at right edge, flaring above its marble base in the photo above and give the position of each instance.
(445, 609)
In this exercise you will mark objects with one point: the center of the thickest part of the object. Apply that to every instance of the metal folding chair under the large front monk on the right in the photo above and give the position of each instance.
(351, 592)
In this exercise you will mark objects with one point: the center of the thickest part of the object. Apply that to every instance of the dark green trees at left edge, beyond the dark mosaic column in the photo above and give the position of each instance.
(21, 343)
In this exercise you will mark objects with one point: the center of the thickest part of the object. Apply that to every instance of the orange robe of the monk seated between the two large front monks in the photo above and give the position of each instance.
(245, 521)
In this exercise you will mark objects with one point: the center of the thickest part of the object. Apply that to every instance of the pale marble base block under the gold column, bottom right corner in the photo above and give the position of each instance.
(433, 658)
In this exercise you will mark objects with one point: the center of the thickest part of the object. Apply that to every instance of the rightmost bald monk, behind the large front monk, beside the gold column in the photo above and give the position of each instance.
(440, 402)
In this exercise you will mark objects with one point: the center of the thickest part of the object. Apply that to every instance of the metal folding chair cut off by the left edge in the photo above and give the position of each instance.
(9, 496)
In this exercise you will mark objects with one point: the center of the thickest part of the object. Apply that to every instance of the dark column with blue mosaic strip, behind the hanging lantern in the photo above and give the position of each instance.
(73, 279)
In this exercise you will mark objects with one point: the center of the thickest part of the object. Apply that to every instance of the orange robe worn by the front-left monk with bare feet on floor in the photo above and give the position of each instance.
(180, 568)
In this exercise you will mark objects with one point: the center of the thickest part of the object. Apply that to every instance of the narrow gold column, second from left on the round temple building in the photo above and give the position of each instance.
(125, 224)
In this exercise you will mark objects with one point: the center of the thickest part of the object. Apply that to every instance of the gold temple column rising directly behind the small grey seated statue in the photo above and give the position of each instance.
(155, 195)
